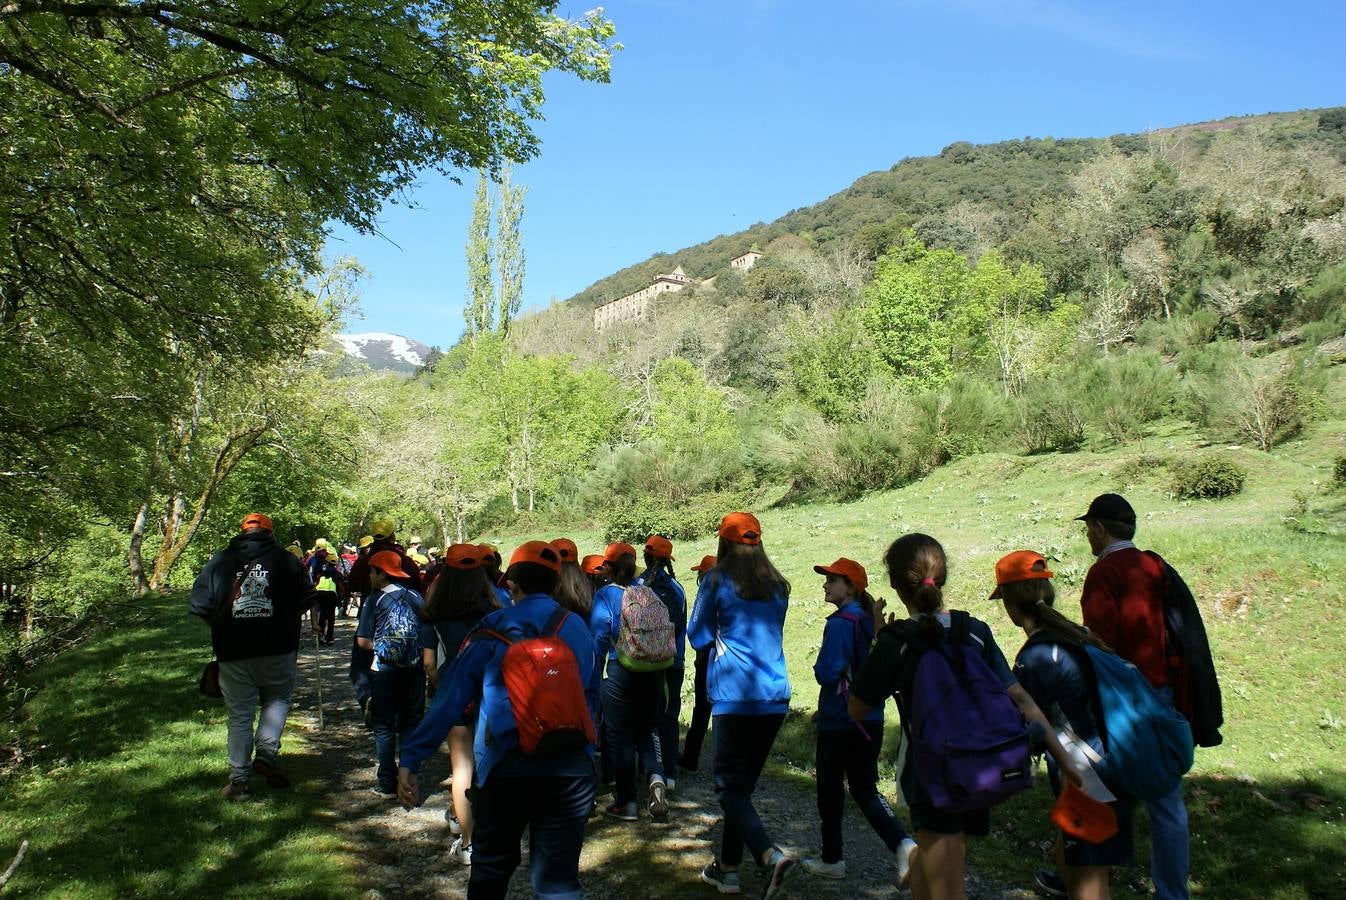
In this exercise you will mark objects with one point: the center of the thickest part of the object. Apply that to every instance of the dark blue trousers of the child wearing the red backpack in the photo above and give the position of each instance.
(555, 812)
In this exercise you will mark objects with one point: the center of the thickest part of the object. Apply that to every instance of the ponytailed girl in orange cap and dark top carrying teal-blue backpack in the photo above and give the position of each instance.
(1055, 669)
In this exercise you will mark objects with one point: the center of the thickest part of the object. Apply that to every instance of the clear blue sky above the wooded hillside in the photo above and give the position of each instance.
(722, 114)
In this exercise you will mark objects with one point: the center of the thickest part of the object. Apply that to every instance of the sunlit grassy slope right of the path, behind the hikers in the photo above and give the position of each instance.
(1270, 578)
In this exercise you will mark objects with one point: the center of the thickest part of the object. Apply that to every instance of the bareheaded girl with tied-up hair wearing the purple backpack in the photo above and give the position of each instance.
(917, 571)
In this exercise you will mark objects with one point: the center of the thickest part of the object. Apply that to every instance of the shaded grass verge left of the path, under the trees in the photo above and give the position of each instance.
(120, 796)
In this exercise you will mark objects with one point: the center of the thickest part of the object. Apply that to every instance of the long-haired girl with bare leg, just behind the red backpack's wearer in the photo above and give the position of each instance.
(457, 602)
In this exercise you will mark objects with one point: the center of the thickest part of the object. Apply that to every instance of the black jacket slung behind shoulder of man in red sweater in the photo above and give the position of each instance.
(1196, 685)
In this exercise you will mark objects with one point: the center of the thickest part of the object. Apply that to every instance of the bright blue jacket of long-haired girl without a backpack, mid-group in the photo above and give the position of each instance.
(746, 672)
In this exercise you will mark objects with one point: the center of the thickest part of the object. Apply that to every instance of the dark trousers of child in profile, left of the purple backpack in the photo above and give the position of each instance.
(853, 755)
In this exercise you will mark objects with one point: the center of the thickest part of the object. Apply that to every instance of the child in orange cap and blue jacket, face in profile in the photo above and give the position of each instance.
(847, 751)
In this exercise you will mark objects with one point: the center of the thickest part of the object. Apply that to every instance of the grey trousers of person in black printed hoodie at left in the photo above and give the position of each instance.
(266, 681)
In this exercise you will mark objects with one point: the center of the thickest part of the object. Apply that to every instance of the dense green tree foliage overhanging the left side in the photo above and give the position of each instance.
(168, 181)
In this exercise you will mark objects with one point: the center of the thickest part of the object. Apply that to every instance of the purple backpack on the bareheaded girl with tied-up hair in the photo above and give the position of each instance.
(970, 745)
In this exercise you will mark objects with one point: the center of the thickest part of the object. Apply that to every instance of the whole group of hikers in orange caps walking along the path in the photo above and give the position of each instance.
(555, 676)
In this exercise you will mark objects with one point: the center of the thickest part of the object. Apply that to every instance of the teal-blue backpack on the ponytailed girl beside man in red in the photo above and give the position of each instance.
(1147, 743)
